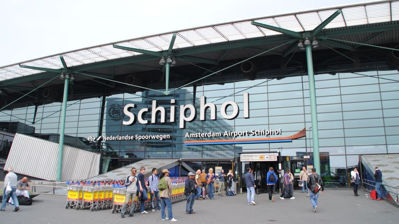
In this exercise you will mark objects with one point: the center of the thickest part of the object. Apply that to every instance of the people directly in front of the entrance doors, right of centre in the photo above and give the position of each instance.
(313, 184)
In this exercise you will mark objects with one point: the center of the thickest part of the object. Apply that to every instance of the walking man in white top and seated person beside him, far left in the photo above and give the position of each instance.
(14, 188)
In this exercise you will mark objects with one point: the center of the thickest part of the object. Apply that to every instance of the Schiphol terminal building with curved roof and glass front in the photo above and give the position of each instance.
(214, 93)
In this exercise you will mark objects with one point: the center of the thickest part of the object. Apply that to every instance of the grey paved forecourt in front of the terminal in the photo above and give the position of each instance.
(336, 206)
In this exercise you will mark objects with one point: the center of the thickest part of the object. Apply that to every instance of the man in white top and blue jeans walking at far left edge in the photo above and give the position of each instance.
(10, 188)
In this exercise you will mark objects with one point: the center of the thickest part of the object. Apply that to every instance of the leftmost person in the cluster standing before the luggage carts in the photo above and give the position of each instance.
(131, 191)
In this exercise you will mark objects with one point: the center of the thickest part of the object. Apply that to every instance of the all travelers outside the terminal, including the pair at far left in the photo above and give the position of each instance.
(199, 186)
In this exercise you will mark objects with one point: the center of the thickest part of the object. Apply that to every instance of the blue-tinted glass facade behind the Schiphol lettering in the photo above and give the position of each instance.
(358, 113)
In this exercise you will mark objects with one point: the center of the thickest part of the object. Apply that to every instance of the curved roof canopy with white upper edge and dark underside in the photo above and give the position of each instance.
(345, 44)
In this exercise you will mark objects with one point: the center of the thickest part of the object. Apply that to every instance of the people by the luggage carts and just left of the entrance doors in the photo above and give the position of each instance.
(198, 185)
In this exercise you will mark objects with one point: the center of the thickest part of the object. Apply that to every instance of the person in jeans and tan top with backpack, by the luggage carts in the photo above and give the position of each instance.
(165, 195)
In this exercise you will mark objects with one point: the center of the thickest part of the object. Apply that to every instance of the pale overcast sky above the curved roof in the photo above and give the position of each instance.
(37, 28)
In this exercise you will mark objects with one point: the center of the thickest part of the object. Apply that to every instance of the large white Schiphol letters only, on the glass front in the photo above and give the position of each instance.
(184, 110)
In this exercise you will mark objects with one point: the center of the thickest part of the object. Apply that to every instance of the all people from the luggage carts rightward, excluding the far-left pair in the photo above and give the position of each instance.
(201, 185)
